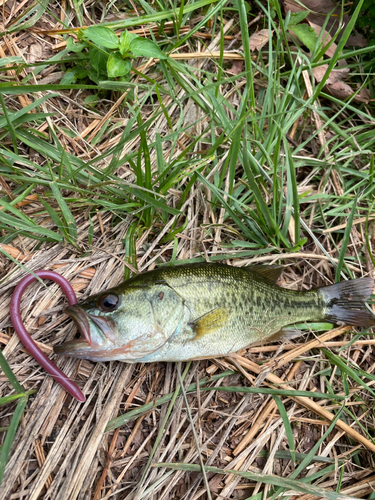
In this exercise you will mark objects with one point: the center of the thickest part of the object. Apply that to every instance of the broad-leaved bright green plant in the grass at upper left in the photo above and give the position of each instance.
(102, 55)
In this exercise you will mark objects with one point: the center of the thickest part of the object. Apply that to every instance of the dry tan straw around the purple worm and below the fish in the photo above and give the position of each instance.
(62, 450)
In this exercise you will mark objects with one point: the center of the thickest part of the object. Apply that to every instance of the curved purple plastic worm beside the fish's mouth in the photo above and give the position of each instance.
(24, 335)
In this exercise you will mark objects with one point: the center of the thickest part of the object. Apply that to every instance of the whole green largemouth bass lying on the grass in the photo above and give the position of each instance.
(200, 311)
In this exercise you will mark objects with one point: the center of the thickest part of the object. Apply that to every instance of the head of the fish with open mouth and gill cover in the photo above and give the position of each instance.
(125, 325)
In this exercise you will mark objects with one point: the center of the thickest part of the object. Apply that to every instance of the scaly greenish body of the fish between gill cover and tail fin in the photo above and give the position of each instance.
(255, 309)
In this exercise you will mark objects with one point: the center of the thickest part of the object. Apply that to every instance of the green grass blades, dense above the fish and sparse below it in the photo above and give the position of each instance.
(265, 192)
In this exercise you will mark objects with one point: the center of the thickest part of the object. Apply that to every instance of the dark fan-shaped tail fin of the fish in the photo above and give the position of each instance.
(346, 302)
